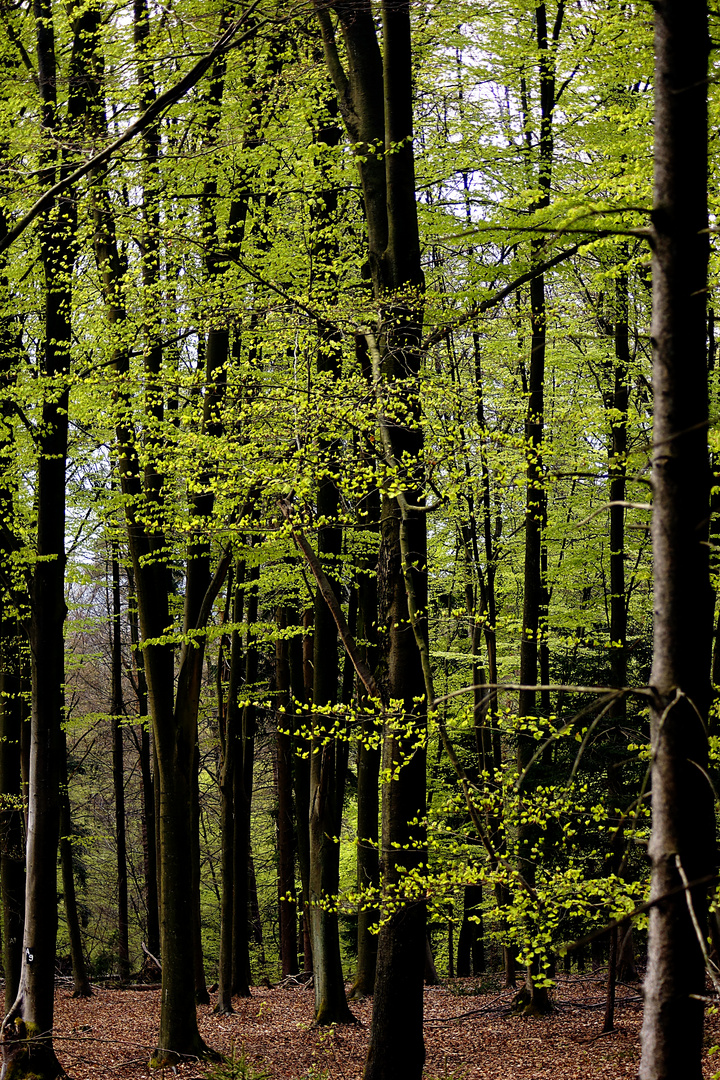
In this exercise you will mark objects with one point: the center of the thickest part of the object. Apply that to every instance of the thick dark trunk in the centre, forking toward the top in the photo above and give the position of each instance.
(376, 102)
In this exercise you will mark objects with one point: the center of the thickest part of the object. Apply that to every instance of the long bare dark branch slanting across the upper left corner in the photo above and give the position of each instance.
(159, 106)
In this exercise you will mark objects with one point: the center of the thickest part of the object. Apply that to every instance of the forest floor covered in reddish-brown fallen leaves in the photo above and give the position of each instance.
(470, 1035)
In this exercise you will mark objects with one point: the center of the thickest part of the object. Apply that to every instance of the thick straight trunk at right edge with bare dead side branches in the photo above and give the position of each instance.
(683, 839)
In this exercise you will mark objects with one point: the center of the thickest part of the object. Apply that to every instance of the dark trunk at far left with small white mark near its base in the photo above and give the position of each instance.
(33, 1011)
